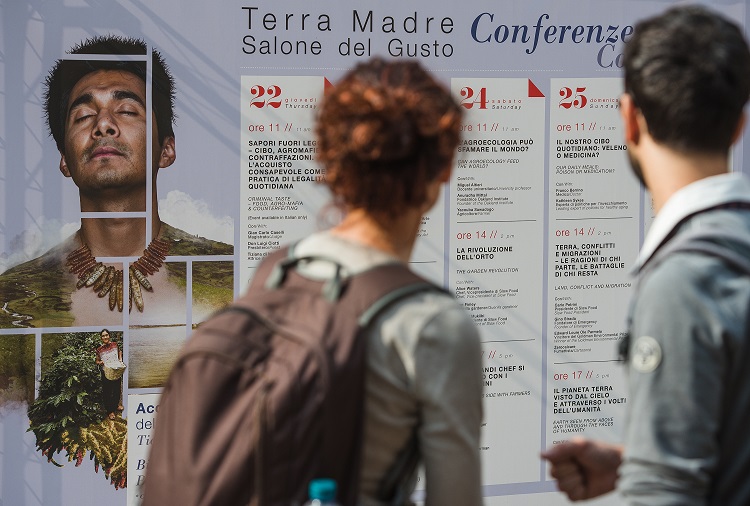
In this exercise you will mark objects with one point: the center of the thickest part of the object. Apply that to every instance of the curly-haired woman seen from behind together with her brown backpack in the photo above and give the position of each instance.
(386, 136)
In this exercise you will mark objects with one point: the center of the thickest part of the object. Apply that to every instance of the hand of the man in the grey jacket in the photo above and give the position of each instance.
(583, 468)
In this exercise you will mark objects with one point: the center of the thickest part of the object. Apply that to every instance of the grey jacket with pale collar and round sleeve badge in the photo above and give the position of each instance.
(686, 440)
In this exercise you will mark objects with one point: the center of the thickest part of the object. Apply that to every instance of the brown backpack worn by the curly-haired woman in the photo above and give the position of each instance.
(268, 394)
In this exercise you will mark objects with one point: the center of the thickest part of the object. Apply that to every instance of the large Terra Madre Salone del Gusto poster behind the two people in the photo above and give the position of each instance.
(104, 275)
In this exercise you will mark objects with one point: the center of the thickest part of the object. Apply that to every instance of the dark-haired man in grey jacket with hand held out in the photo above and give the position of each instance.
(687, 80)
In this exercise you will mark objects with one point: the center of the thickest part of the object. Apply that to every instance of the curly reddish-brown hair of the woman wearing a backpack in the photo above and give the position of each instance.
(384, 132)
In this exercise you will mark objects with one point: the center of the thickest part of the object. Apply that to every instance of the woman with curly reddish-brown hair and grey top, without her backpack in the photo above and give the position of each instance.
(387, 134)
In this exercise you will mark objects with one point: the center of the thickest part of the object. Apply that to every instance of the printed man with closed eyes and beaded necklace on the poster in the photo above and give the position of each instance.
(97, 114)
